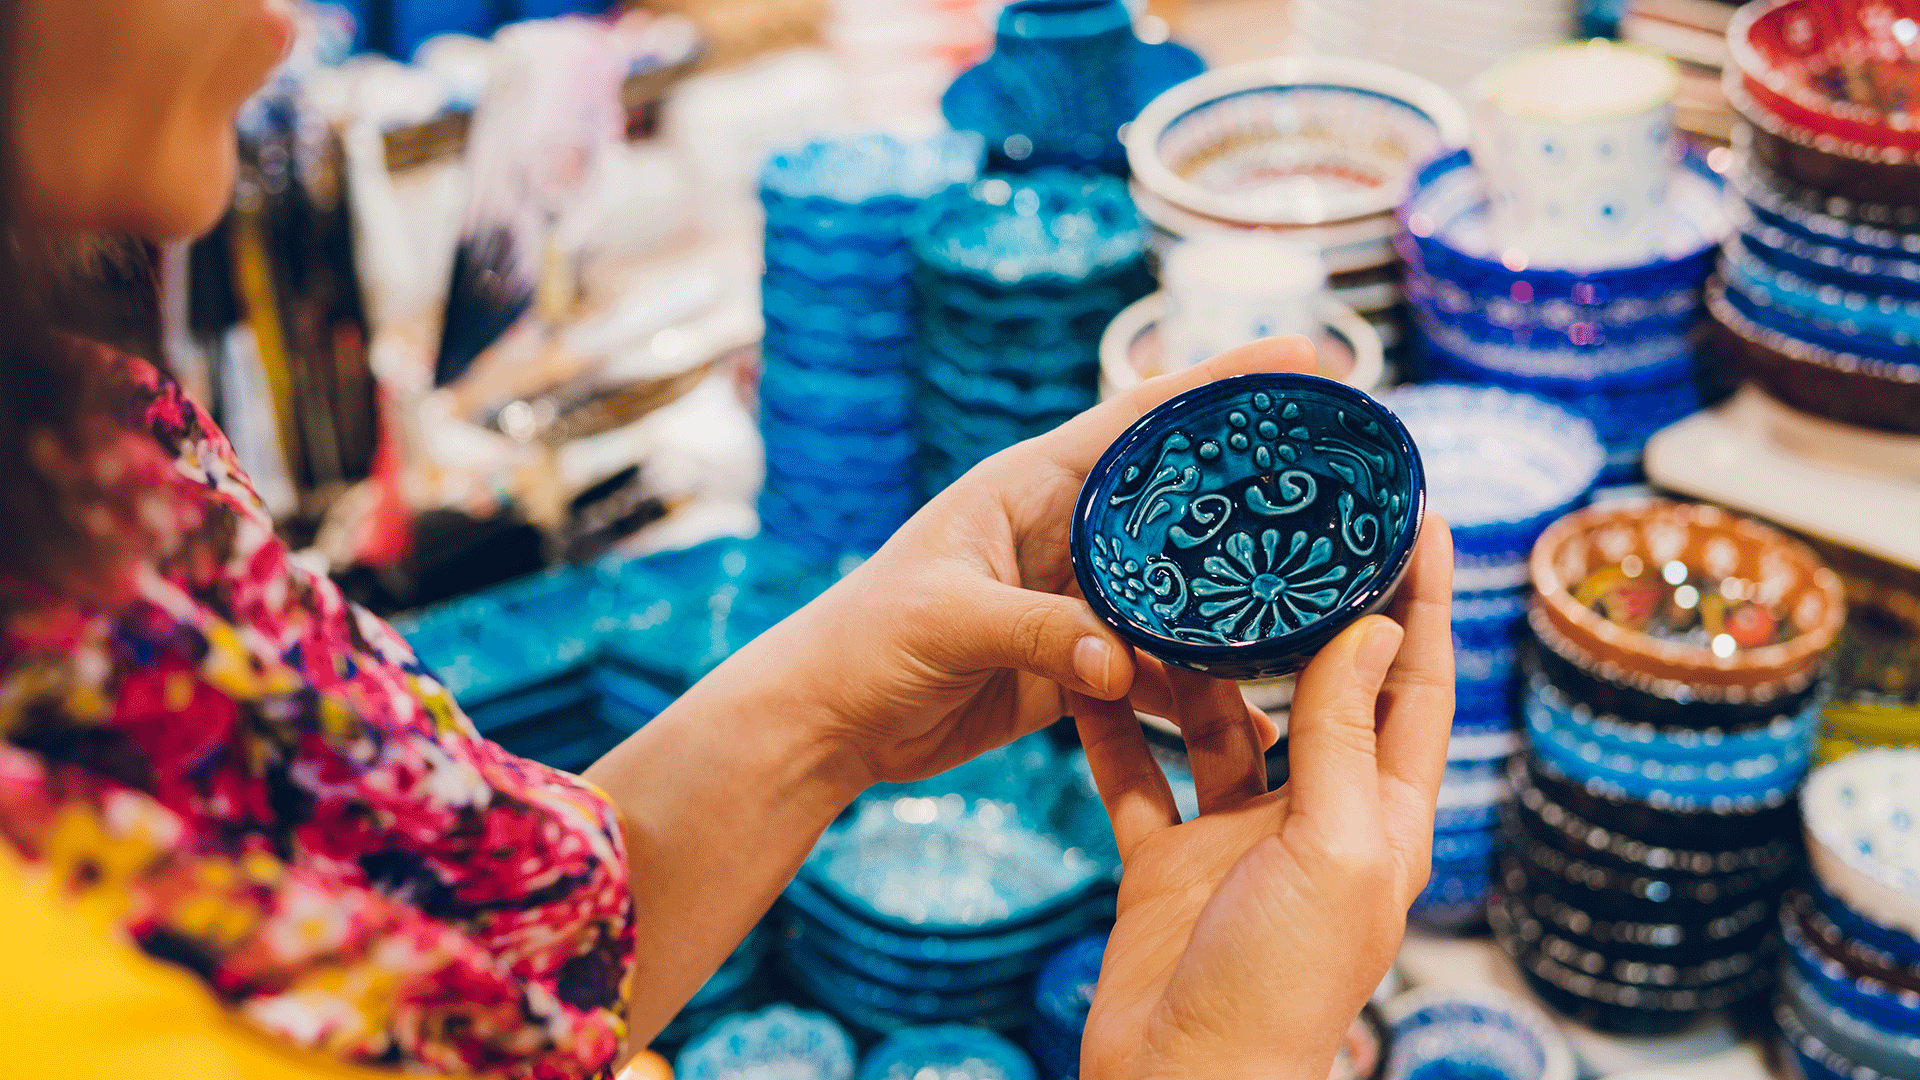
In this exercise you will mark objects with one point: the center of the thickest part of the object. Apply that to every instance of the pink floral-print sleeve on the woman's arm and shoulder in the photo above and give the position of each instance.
(256, 781)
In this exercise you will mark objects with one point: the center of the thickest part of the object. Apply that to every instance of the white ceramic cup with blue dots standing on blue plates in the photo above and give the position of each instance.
(1577, 145)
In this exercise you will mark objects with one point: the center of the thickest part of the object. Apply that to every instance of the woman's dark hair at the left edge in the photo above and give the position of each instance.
(49, 289)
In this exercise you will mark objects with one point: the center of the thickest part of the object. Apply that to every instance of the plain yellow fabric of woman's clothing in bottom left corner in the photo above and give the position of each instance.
(85, 1006)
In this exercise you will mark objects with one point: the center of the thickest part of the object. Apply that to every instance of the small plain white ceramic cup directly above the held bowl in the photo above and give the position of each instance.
(1230, 289)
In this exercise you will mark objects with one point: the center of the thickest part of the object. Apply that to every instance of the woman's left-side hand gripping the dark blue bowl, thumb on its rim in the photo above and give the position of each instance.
(965, 629)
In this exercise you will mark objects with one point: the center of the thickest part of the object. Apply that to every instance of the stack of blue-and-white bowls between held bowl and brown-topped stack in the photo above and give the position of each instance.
(1500, 468)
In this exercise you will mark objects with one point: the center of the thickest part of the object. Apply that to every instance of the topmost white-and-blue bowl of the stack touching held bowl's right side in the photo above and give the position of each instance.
(1500, 466)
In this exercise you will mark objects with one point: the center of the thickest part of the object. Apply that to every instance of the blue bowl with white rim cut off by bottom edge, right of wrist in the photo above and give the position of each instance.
(1481, 1033)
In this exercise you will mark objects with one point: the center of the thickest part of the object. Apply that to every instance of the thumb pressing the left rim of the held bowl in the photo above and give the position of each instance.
(1040, 633)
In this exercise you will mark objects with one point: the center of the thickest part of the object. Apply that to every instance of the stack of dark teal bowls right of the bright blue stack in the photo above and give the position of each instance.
(1017, 280)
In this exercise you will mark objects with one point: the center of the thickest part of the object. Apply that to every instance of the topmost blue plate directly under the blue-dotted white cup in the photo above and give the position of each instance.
(1445, 230)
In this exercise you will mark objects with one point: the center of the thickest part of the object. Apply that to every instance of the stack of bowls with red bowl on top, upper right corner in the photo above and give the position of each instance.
(1821, 297)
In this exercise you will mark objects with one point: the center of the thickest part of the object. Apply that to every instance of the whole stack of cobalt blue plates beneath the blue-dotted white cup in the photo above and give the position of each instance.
(1614, 345)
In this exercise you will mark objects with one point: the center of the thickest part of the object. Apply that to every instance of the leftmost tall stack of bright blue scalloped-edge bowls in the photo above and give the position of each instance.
(836, 387)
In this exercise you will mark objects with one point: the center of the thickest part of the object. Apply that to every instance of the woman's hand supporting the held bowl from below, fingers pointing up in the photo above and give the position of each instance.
(1249, 939)
